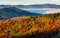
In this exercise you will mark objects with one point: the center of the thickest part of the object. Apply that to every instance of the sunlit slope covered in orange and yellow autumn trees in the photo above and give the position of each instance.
(24, 25)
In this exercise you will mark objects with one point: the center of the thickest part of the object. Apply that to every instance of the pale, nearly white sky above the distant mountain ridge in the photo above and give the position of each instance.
(28, 2)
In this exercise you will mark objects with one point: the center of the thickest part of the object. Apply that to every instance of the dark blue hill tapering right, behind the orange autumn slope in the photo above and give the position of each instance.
(14, 12)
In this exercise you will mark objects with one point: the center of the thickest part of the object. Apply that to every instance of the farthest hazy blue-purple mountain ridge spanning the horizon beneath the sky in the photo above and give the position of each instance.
(33, 6)
